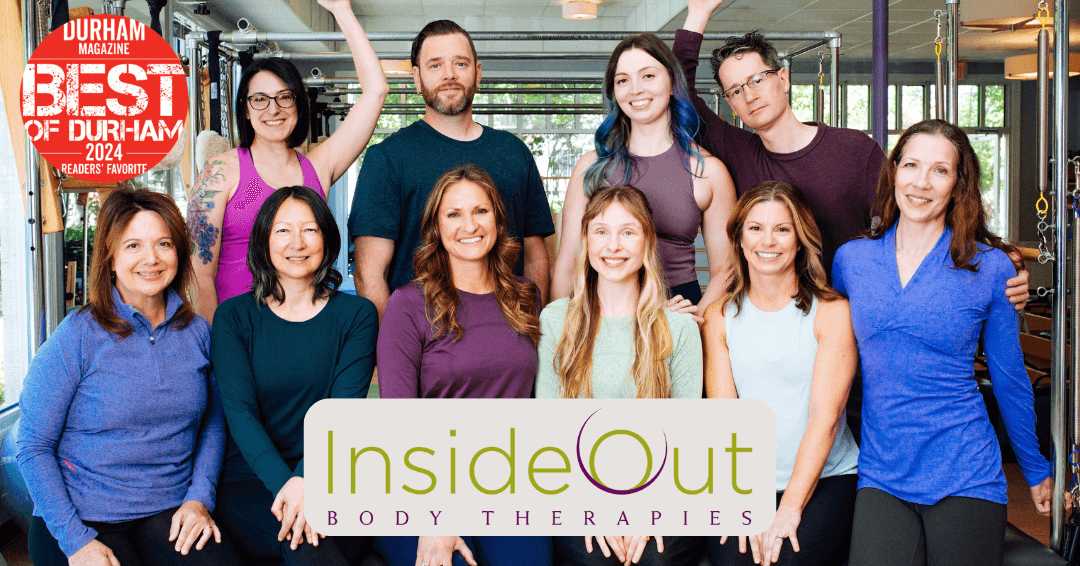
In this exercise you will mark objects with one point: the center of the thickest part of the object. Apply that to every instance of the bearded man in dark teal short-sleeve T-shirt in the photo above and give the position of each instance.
(399, 173)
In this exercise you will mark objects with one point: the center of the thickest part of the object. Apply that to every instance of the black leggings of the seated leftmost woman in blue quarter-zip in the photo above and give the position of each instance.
(138, 543)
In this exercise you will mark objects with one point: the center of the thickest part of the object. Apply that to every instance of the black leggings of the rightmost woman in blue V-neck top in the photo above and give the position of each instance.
(955, 532)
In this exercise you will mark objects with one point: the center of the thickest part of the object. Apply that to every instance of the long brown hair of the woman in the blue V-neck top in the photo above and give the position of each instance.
(965, 215)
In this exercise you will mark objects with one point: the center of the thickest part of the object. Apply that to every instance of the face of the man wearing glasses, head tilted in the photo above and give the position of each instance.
(759, 105)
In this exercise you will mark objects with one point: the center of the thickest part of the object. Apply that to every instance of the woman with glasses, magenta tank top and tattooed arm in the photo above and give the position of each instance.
(273, 114)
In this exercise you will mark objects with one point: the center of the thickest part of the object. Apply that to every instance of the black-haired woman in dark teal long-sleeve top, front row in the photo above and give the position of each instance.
(280, 349)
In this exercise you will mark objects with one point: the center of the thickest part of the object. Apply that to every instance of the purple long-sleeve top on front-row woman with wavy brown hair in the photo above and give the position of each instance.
(491, 361)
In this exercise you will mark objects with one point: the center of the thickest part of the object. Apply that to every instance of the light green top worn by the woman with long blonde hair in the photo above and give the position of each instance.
(614, 356)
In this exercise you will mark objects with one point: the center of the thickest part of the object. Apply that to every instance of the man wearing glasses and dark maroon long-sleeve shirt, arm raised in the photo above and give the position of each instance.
(835, 168)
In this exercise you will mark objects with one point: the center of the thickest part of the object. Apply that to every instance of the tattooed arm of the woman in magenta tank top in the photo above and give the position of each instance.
(206, 217)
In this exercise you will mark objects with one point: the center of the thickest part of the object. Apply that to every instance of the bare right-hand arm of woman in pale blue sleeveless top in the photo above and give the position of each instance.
(834, 370)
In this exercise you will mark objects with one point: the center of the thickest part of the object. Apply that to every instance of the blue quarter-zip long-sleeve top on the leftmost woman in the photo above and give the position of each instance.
(115, 429)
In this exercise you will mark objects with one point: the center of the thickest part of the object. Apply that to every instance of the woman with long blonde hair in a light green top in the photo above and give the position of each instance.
(615, 338)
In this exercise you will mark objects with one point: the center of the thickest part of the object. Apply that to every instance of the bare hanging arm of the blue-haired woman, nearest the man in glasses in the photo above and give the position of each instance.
(722, 200)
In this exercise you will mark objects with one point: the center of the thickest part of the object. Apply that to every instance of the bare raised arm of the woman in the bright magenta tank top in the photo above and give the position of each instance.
(333, 157)
